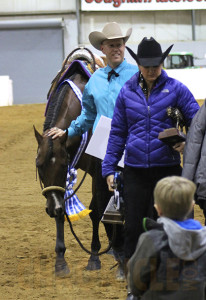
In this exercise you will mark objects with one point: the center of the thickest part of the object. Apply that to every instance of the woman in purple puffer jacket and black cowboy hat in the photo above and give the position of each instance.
(140, 115)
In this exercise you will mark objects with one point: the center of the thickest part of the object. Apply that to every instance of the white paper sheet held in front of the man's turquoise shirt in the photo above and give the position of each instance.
(97, 146)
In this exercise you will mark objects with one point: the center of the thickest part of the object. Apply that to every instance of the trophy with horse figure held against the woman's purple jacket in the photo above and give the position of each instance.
(174, 135)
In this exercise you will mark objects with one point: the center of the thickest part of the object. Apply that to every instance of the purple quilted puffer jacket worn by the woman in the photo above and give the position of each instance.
(137, 122)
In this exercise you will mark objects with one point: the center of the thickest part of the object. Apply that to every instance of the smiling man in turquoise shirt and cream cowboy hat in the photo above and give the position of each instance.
(99, 99)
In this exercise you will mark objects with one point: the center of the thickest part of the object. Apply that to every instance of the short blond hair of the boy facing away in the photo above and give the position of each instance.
(174, 195)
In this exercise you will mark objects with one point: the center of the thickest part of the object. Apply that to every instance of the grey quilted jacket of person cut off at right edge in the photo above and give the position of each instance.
(194, 164)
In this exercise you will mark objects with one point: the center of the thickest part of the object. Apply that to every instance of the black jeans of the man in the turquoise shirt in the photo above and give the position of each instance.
(103, 197)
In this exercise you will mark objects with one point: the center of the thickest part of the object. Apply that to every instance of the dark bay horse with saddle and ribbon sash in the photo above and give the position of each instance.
(53, 156)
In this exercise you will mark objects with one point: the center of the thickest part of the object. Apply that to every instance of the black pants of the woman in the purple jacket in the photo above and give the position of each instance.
(139, 184)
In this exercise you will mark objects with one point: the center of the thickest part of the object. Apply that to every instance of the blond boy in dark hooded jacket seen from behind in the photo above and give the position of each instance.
(170, 259)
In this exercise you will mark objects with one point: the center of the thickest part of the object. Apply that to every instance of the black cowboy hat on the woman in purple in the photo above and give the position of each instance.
(149, 53)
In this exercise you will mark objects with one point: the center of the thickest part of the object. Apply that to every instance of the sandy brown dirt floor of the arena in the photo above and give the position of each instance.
(28, 235)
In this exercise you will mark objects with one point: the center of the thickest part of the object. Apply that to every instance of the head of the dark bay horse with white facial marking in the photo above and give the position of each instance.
(52, 163)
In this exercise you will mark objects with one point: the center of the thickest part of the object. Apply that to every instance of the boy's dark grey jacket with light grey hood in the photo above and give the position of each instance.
(169, 263)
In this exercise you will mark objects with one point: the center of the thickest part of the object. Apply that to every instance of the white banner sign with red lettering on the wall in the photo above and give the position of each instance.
(141, 5)
